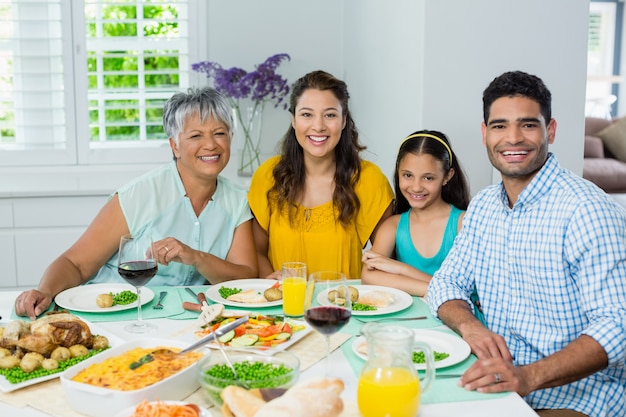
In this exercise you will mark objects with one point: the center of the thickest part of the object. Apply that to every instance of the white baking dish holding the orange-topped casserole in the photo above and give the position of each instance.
(103, 402)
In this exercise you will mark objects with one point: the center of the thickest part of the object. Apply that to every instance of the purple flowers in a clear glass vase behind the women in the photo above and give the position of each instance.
(259, 86)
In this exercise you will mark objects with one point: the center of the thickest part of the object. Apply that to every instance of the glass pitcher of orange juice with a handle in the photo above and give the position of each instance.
(389, 385)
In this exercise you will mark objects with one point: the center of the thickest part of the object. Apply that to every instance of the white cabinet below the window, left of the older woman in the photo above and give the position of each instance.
(35, 230)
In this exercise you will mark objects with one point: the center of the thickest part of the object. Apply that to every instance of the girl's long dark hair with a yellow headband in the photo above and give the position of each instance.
(456, 191)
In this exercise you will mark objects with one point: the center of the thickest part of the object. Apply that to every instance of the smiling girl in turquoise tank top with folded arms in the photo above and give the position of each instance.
(431, 198)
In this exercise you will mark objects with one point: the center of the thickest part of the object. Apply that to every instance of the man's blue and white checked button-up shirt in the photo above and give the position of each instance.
(547, 271)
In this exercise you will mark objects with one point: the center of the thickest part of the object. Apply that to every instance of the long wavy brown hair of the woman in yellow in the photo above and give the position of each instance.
(289, 173)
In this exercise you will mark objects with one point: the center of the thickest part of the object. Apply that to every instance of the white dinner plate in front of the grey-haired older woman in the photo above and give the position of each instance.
(83, 297)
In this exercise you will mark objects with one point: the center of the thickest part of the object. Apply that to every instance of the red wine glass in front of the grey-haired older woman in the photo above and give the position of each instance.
(136, 264)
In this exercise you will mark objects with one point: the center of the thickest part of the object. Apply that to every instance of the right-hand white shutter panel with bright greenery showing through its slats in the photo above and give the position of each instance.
(137, 58)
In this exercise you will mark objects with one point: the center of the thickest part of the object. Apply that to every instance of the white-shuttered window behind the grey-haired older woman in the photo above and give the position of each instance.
(84, 81)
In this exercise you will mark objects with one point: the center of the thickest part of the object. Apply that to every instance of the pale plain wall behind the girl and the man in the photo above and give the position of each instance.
(440, 55)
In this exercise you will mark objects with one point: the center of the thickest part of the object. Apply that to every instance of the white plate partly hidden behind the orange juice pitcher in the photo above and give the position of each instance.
(438, 341)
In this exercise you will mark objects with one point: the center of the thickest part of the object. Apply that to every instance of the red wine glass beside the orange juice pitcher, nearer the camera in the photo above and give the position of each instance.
(327, 305)
